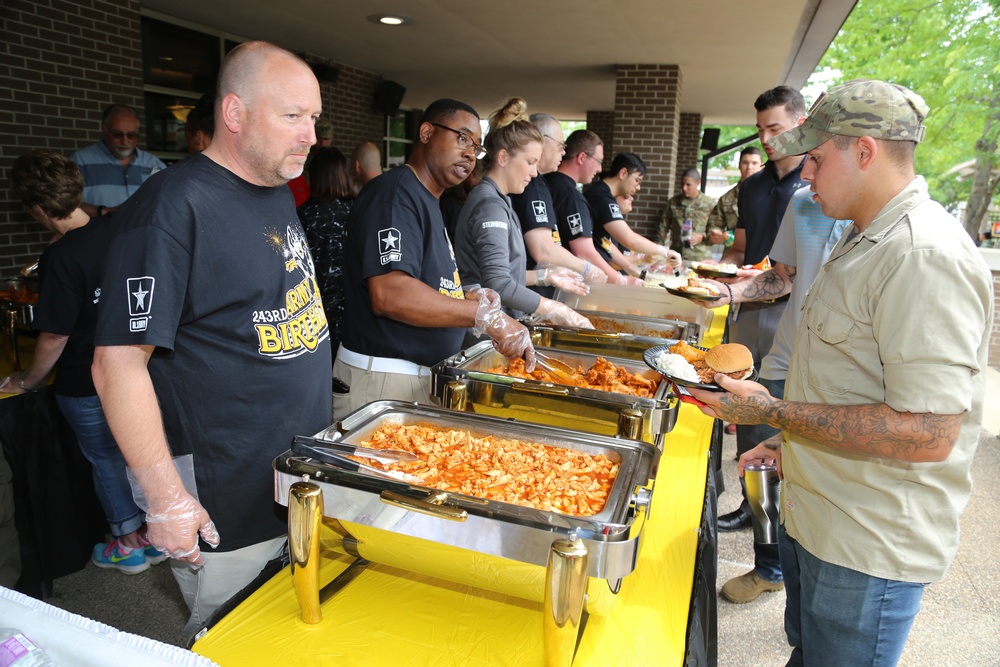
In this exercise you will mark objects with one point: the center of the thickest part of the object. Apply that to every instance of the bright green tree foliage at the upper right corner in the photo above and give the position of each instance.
(946, 51)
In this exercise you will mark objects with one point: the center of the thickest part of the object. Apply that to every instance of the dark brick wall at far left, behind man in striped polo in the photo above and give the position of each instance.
(61, 64)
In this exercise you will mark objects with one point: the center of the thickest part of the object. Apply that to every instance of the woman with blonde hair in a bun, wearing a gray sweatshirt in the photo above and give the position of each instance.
(489, 248)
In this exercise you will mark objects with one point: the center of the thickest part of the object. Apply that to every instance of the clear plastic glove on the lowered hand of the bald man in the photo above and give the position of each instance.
(174, 519)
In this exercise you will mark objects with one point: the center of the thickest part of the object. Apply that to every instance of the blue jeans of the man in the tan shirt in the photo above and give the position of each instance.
(837, 616)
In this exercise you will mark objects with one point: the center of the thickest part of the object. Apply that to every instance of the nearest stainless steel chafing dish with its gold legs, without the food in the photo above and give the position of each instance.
(367, 509)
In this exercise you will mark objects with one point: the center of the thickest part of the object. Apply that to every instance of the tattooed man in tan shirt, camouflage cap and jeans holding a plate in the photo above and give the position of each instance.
(884, 395)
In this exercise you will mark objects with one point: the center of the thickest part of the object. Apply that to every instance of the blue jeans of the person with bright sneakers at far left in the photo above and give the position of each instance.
(86, 417)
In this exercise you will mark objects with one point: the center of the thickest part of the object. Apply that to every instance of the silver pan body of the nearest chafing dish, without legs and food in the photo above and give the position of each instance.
(501, 529)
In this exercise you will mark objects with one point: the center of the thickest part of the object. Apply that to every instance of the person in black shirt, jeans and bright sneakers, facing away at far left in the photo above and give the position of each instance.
(51, 188)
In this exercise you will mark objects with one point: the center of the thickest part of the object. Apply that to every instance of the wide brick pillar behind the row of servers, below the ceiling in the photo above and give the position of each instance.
(647, 122)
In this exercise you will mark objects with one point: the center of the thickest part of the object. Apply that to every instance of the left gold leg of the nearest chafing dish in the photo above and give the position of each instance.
(305, 512)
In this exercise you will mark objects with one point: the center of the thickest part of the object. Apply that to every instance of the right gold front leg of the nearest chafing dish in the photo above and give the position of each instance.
(565, 598)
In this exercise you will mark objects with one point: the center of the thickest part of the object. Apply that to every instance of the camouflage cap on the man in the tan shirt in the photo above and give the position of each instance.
(859, 108)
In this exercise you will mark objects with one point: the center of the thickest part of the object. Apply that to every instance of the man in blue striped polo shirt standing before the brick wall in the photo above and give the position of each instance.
(114, 167)
